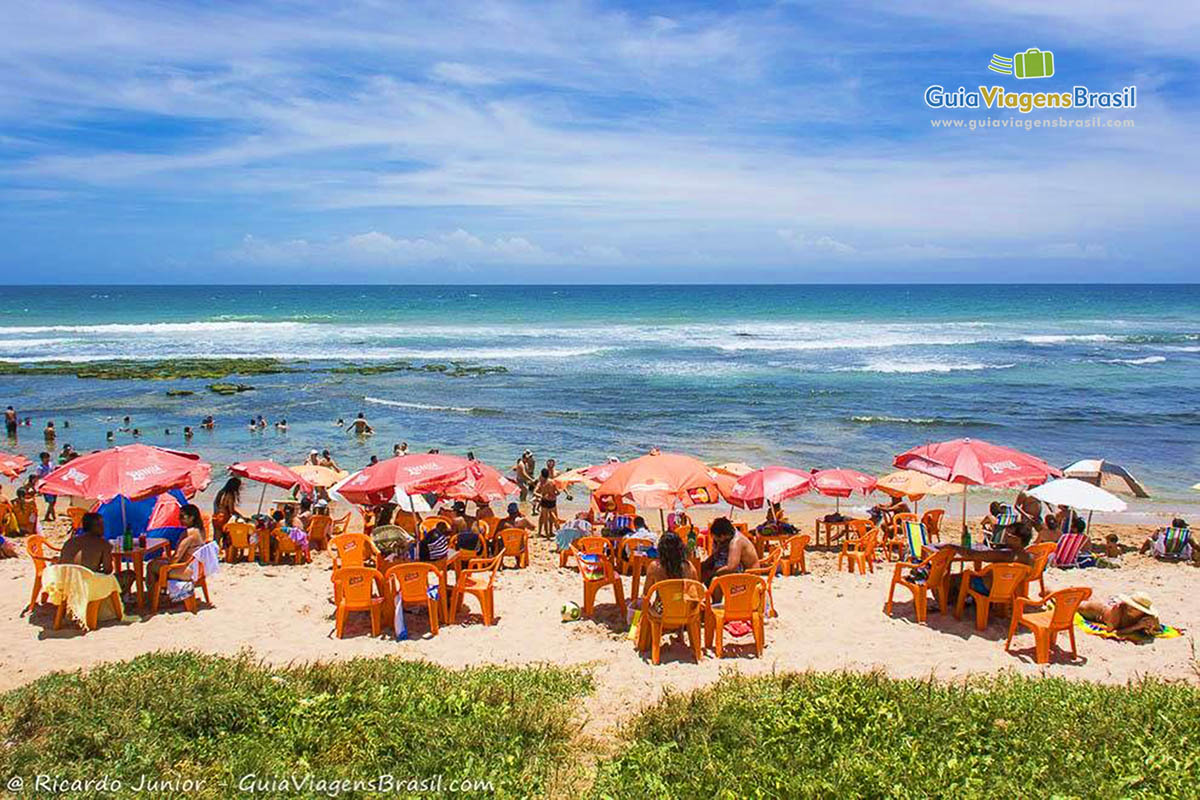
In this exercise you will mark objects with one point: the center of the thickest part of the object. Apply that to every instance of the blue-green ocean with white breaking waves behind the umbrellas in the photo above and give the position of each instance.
(805, 376)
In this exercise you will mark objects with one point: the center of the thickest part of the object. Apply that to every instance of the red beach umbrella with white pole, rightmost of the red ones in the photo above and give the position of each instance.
(975, 462)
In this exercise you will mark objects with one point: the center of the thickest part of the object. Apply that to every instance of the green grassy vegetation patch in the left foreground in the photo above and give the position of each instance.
(217, 720)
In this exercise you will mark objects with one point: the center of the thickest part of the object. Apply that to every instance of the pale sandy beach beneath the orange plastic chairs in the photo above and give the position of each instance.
(829, 621)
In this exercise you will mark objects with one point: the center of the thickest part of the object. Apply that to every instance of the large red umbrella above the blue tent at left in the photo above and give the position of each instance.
(134, 472)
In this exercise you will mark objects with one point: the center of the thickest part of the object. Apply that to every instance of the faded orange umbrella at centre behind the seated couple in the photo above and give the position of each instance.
(663, 482)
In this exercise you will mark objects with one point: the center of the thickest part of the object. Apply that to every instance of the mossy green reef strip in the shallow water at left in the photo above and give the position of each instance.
(122, 370)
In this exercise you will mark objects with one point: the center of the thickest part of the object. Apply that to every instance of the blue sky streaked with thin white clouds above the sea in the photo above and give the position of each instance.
(495, 142)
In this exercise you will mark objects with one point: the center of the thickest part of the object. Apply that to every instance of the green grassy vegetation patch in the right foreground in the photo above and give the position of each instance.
(824, 736)
